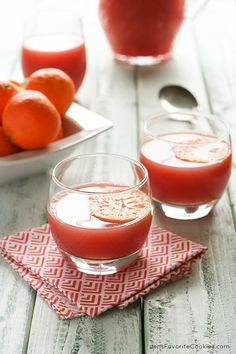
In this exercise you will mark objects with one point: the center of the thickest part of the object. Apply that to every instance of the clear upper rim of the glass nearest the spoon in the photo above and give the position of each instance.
(199, 114)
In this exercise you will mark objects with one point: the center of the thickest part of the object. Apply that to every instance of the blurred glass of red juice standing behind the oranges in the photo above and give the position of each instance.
(54, 39)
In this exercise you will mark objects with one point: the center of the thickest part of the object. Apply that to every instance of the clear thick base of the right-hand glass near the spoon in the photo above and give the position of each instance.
(185, 212)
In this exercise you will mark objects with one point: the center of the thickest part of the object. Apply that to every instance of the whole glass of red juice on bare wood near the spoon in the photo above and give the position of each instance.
(188, 156)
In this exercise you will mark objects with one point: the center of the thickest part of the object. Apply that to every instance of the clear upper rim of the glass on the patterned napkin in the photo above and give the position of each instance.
(106, 155)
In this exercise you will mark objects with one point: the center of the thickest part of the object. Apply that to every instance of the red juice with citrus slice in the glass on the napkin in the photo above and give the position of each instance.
(95, 231)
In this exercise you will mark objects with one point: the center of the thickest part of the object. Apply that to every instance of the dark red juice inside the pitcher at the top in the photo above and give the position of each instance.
(141, 27)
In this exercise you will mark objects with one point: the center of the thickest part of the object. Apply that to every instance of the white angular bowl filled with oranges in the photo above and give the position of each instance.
(40, 123)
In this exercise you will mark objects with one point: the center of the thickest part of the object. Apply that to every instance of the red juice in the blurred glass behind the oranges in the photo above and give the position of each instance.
(65, 52)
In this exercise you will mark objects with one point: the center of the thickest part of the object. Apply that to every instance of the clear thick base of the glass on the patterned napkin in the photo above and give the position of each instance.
(101, 267)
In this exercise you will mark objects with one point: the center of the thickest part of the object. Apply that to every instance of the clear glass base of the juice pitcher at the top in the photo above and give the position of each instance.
(141, 60)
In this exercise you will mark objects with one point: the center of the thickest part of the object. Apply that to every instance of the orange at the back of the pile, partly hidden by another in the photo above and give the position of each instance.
(56, 85)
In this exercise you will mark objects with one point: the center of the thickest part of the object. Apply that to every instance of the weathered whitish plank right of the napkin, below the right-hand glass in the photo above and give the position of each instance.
(199, 310)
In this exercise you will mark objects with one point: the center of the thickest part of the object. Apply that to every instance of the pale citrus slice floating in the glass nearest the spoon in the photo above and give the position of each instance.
(200, 151)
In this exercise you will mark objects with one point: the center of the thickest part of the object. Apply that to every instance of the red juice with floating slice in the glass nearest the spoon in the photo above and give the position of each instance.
(182, 174)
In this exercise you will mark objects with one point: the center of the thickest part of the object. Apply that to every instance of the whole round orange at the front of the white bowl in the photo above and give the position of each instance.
(30, 120)
